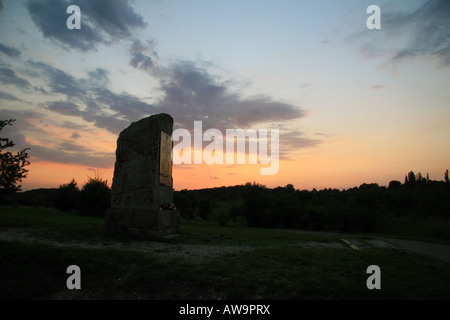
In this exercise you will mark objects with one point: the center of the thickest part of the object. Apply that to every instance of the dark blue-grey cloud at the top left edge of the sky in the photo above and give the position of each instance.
(102, 22)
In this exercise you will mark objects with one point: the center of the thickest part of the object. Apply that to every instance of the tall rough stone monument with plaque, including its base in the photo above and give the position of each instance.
(142, 194)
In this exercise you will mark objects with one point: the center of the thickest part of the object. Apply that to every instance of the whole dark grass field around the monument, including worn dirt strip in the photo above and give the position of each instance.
(205, 261)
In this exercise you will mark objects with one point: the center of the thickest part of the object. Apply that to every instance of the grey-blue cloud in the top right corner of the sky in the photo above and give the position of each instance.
(421, 33)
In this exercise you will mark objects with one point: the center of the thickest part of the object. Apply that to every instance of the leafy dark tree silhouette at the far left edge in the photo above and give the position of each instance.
(12, 165)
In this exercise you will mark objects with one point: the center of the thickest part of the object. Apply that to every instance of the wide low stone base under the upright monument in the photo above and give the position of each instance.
(142, 221)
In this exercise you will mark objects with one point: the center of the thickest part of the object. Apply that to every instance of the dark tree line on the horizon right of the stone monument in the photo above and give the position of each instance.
(361, 209)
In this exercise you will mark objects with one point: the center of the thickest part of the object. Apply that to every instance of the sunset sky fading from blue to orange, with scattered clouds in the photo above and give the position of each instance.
(352, 105)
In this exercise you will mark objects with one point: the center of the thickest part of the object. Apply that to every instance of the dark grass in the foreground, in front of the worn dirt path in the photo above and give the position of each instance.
(31, 271)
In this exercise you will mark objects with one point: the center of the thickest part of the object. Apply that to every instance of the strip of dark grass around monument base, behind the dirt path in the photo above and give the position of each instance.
(50, 223)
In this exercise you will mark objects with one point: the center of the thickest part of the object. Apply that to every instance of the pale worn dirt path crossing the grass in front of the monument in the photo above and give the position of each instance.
(200, 252)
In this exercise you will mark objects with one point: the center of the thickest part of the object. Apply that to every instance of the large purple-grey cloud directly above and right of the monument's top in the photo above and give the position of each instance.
(192, 93)
